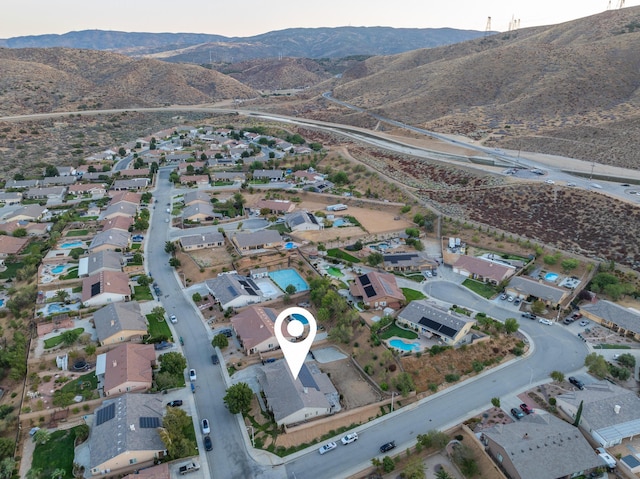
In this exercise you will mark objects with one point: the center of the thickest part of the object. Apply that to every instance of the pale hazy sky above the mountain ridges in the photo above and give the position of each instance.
(251, 17)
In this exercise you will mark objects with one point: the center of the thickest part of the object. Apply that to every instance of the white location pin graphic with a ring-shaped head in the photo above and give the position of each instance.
(295, 353)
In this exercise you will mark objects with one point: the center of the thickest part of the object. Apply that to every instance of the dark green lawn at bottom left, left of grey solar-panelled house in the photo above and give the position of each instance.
(57, 453)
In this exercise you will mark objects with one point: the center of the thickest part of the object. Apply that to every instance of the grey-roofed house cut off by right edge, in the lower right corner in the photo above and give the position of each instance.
(609, 415)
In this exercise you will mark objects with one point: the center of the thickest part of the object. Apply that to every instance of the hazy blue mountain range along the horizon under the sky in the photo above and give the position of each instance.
(292, 42)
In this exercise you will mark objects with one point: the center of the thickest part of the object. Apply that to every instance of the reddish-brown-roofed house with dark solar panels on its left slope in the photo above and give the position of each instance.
(377, 290)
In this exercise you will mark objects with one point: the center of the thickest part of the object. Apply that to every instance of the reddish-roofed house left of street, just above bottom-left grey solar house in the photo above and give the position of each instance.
(126, 368)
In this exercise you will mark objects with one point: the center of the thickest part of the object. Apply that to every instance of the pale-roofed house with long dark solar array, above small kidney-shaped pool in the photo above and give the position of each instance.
(434, 322)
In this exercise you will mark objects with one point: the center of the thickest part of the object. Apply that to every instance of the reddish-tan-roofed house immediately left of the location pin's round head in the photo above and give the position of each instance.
(254, 329)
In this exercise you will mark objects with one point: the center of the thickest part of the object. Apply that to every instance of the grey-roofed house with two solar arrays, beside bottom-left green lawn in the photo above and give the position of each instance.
(125, 434)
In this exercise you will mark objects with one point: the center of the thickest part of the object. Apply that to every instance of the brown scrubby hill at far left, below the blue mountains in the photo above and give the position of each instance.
(38, 80)
